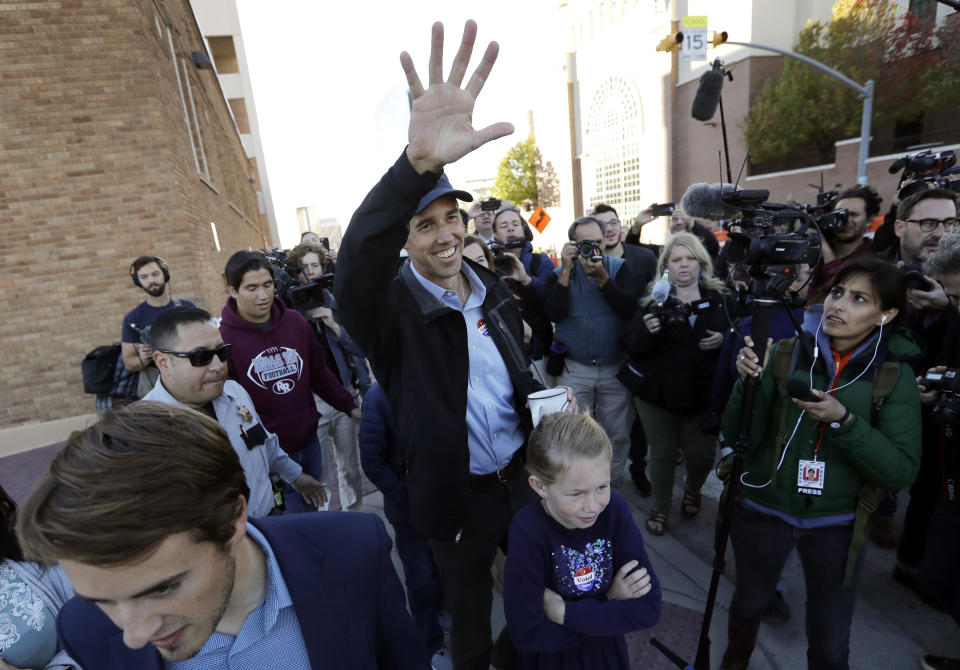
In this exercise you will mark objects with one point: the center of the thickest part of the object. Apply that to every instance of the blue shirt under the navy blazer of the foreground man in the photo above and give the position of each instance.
(269, 638)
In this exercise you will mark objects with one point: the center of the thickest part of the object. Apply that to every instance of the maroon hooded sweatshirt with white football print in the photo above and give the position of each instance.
(281, 367)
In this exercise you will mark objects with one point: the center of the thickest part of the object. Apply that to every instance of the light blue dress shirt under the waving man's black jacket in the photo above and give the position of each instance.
(493, 427)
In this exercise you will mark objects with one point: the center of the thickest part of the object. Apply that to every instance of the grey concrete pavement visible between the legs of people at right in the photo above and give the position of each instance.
(891, 629)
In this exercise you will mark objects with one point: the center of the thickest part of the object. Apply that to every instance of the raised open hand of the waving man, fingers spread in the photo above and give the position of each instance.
(441, 123)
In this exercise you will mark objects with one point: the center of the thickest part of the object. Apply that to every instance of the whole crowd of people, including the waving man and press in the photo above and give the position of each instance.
(177, 530)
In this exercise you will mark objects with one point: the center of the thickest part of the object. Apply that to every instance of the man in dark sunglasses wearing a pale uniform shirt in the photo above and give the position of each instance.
(192, 360)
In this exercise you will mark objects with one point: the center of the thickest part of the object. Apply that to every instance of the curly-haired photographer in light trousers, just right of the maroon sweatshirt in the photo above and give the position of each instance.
(345, 360)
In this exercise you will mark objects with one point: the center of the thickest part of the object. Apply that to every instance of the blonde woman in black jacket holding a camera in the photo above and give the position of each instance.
(673, 343)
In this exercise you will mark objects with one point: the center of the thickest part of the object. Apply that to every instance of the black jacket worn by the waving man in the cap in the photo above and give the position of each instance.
(417, 347)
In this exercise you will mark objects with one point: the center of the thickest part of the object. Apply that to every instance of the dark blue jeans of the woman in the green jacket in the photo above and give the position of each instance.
(761, 545)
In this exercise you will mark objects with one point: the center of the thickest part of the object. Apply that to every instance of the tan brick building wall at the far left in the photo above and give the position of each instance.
(114, 144)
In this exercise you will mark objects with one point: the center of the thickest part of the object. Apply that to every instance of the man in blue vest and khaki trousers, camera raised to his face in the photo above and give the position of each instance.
(591, 299)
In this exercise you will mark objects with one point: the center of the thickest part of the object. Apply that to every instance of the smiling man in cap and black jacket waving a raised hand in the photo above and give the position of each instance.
(445, 341)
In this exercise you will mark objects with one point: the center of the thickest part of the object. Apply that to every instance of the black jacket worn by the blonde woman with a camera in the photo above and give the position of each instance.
(669, 369)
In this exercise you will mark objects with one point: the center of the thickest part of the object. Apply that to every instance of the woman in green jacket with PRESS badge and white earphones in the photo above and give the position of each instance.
(811, 464)
